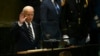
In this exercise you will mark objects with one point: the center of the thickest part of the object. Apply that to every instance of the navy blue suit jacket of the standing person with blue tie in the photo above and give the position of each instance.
(49, 20)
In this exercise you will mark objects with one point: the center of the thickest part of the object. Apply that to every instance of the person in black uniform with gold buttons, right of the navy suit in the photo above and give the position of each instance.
(74, 21)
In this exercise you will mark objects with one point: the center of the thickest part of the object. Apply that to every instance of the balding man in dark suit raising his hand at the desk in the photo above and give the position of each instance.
(25, 38)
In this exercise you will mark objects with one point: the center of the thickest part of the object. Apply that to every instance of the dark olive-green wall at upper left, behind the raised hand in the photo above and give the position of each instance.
(9, 11)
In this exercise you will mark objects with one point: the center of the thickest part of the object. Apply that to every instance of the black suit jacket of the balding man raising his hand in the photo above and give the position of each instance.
(21, 37)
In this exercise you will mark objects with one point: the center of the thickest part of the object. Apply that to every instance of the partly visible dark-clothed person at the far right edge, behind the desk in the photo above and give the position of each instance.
(95, 22)
